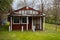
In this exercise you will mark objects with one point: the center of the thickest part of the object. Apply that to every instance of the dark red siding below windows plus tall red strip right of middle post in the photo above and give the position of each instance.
(19, 26)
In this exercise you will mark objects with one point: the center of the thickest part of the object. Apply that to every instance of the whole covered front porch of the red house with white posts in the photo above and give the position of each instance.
(27, 22)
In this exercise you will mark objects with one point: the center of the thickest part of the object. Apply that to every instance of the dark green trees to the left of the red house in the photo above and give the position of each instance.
(5, 6)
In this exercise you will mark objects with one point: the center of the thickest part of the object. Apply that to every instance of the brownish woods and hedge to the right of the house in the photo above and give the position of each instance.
(53, 13)
